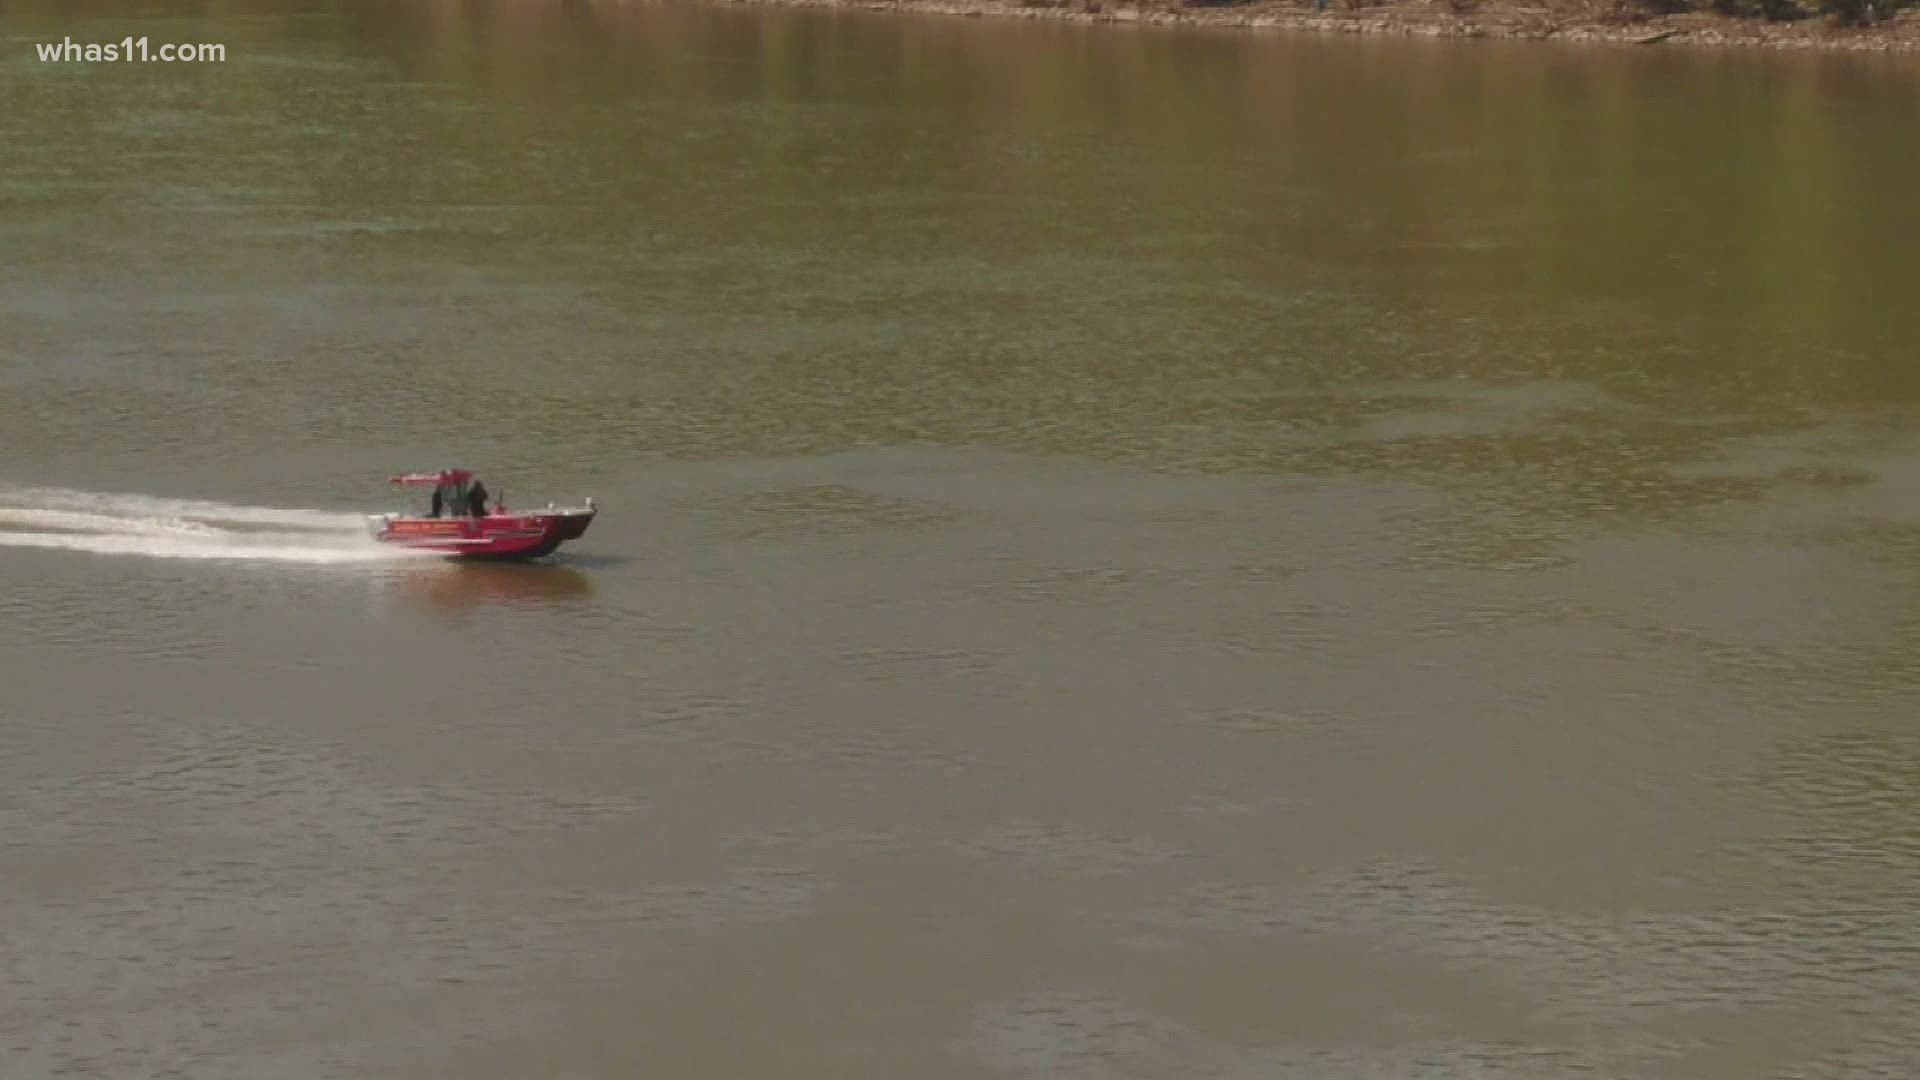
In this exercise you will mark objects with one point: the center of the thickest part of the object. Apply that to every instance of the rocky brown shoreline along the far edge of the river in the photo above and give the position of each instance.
(1420, 18)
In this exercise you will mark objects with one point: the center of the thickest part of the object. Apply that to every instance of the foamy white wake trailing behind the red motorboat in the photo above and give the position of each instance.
(183, 529)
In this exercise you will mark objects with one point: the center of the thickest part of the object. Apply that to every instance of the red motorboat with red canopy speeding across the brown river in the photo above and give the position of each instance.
(462, 526)
